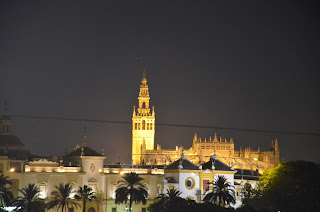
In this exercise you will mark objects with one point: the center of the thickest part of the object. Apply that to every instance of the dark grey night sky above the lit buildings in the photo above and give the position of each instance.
(242, 64)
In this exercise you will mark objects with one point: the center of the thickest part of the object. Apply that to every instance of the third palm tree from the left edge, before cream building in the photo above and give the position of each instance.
(61, 198)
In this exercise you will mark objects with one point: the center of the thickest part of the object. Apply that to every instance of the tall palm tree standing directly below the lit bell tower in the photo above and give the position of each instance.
(132, 188)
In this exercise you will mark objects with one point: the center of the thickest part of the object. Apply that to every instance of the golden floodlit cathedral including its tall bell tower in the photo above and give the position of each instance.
(144, 153)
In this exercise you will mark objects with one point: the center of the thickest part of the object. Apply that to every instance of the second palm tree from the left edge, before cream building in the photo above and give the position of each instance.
(29, 201)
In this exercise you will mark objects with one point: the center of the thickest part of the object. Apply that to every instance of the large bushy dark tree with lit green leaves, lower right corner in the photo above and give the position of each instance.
(291, 186)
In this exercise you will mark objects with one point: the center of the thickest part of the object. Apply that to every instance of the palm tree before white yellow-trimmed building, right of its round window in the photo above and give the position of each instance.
(222, 193)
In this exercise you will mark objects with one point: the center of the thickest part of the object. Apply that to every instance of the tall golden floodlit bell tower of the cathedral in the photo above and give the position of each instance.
(143, 124)
